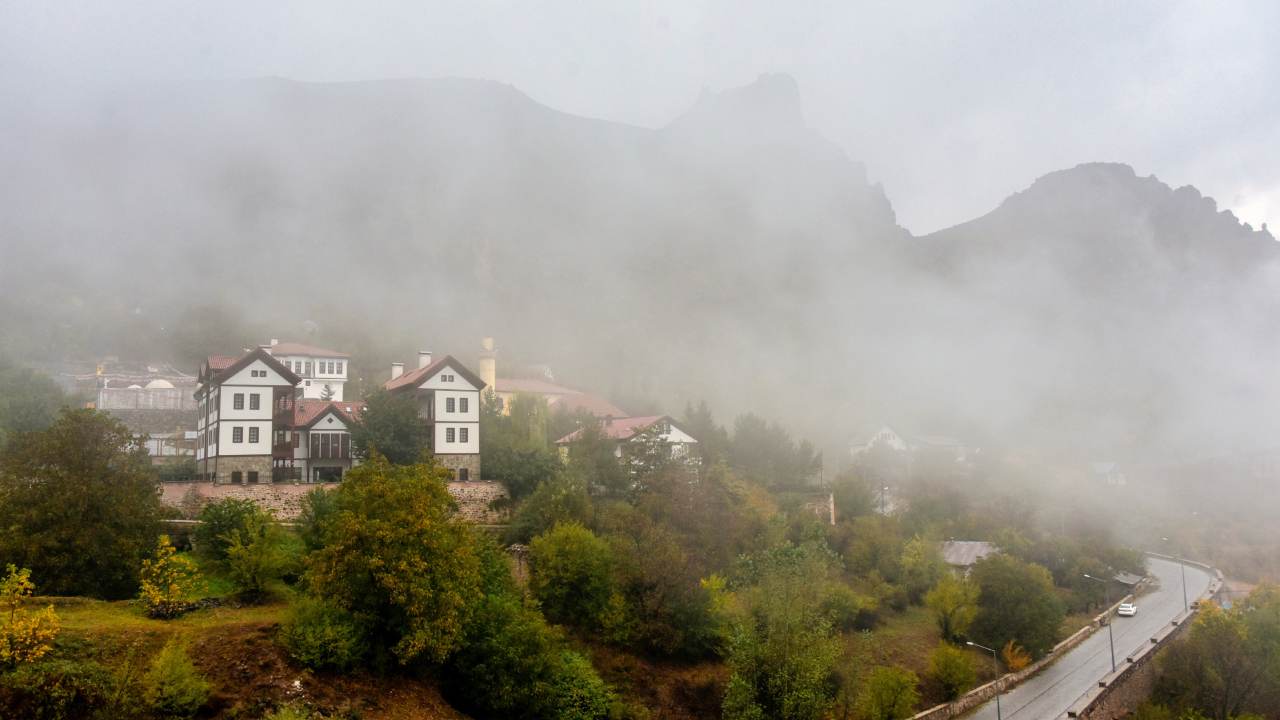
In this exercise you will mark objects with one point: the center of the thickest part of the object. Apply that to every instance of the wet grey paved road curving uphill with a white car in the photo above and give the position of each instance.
(1049, 695)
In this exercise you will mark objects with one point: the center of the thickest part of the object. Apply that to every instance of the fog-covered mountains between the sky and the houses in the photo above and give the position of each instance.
(733, 256)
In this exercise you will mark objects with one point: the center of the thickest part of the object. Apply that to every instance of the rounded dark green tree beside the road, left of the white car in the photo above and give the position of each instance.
(1017, 601)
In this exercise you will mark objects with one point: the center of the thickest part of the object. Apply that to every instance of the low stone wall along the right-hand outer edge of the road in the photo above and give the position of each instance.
(1122, 692)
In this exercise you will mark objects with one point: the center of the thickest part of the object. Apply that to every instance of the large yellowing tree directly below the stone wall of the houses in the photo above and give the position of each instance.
(394, 555)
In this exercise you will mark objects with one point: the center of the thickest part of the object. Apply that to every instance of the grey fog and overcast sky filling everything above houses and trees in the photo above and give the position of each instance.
(675, 203)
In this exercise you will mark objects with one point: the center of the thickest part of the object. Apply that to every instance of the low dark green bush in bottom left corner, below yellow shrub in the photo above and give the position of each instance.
(60, 690)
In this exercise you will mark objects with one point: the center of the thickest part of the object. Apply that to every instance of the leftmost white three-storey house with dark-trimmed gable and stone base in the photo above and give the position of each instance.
(244, 404)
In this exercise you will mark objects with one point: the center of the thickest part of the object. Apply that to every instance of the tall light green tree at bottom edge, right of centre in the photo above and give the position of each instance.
(783, 655)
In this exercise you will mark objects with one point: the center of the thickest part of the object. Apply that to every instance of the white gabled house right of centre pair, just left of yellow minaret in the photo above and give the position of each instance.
(449, 397)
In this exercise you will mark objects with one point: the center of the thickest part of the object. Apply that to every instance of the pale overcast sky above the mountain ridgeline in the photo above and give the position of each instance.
(953, 106)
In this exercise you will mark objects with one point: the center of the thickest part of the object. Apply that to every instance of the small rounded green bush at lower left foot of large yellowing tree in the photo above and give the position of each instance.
(322, 636)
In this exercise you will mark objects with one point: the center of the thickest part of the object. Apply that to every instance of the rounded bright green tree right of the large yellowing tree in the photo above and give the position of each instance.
(570, 575)
